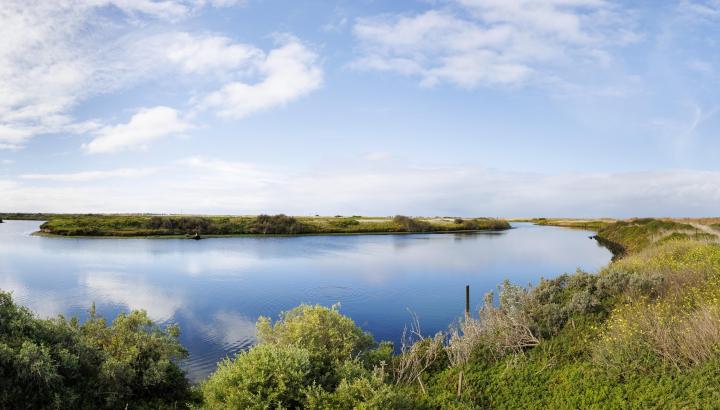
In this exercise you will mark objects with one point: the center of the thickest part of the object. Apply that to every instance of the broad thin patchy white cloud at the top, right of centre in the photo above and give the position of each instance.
(492, 42)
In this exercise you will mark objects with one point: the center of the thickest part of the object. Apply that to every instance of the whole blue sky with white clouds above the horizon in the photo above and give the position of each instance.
(575, 108)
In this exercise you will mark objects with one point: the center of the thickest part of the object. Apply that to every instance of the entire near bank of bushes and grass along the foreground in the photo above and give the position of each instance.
(644, 332)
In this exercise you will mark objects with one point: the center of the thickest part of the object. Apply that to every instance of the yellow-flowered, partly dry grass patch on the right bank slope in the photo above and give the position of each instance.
(678, 323)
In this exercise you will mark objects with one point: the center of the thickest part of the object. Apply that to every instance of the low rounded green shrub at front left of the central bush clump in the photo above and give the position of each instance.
(264, 377)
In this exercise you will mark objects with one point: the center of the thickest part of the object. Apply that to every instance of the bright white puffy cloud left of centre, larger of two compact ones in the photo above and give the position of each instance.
(288, 72)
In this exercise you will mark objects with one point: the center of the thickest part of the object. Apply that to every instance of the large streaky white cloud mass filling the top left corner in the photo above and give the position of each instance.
(58, 53)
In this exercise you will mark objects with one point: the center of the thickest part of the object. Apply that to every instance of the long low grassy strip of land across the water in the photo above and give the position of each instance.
(180, 225)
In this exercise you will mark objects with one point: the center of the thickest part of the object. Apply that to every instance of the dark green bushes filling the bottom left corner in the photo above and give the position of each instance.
(63, 364)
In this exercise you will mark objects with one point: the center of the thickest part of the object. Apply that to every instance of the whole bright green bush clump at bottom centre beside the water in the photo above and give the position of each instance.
(311, 357)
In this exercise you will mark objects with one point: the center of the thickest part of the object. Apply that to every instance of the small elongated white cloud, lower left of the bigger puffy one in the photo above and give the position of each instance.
(145, 126)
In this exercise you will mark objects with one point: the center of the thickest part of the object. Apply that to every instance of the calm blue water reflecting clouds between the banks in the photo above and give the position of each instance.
(215, 289)
